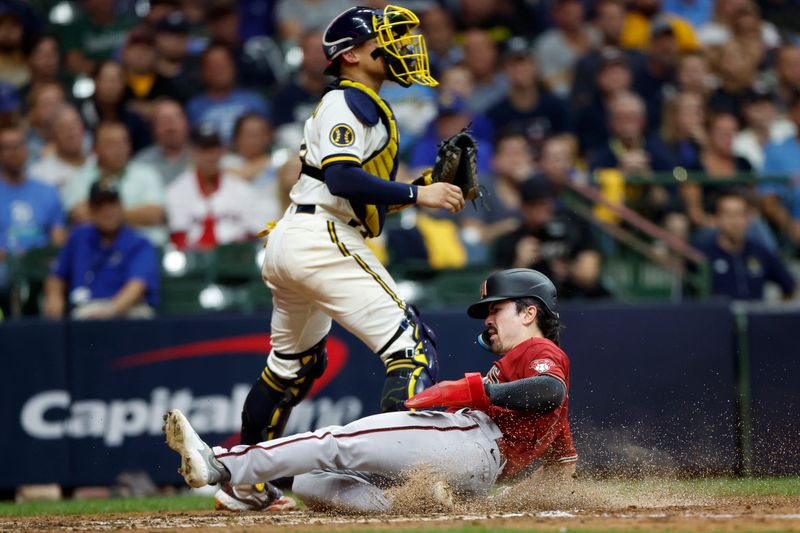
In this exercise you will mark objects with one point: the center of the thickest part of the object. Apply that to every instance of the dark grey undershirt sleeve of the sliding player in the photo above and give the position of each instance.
(540, 394)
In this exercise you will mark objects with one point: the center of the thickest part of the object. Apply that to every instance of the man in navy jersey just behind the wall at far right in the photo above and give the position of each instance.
(740, 265)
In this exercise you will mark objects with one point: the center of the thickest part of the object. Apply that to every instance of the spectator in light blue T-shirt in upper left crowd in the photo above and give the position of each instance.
(222, 103)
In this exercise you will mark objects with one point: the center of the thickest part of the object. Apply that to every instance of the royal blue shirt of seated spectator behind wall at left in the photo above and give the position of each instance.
(93, 271)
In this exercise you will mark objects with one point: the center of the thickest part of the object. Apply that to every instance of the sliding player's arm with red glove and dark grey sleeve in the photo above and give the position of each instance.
(538, 394)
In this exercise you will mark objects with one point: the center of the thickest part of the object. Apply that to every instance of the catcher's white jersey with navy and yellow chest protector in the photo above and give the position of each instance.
(350, 124)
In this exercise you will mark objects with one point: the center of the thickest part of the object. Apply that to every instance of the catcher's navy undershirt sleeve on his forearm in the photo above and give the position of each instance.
(354, 183)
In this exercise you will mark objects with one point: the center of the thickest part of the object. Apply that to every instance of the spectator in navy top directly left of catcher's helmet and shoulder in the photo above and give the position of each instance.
(294, 102)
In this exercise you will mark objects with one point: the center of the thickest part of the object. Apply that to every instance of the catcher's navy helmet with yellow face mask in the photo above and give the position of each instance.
(392, 27)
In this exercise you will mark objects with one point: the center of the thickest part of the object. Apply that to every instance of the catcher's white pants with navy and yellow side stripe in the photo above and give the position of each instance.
(319, 268)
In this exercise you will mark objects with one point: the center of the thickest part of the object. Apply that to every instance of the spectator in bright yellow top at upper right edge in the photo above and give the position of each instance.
(641, 26)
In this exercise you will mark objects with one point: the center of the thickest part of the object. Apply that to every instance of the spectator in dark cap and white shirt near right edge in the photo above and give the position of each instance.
(762, 125)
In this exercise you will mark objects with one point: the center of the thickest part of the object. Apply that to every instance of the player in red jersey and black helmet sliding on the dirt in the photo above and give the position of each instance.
(497, 425)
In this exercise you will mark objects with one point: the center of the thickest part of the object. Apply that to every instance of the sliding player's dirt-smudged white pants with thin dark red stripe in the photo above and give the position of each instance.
(460, 446)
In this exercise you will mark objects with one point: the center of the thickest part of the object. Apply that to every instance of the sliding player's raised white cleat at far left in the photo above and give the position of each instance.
(199, 467)
